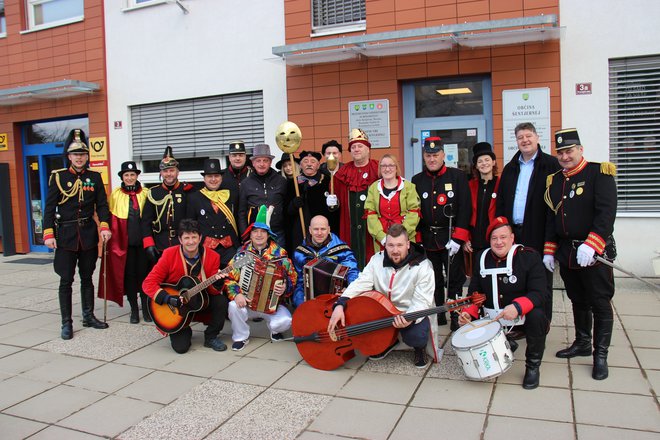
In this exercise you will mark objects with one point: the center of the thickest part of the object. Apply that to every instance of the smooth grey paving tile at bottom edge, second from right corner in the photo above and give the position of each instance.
(517, 428)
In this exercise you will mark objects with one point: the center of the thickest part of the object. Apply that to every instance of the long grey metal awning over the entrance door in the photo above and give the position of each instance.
(429, 39)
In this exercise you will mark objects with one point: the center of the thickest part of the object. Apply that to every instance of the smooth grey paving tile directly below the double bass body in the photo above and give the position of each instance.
(305, 378)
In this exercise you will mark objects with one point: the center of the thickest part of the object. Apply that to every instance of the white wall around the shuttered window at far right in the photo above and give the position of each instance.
(595, 31)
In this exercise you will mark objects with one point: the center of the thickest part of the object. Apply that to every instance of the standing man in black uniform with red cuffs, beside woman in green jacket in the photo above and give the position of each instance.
(444, 192)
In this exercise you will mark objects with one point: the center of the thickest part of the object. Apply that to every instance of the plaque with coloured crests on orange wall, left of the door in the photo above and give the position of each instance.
(373, 117)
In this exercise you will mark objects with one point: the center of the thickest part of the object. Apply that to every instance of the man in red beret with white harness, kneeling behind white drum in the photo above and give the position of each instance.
(516, 295)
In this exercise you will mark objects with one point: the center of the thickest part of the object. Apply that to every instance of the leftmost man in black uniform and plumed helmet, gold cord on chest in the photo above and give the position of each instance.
(74, 195)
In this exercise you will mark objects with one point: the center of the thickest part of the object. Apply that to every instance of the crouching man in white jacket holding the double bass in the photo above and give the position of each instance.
(404, 275)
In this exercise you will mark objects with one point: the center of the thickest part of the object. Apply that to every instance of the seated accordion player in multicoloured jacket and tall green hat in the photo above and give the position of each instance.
(263, 248)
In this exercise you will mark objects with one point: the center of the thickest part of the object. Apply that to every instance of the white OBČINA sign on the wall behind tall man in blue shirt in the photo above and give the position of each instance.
(525, 105)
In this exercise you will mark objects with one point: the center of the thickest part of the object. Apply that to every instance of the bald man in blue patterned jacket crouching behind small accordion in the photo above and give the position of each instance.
(321, 243)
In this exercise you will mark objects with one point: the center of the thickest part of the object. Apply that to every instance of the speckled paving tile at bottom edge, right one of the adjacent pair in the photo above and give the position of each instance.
(267, 412)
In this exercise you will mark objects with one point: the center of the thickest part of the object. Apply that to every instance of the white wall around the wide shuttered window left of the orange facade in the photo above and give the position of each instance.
(158, 53)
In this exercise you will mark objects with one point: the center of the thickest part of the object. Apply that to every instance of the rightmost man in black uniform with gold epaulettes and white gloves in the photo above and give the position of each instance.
(582, 201)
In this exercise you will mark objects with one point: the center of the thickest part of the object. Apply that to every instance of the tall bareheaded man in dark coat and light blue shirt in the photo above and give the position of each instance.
(520, 194)
